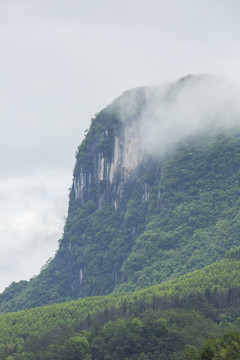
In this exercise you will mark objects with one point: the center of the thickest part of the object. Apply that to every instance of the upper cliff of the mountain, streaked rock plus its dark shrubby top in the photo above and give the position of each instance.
(107, 159)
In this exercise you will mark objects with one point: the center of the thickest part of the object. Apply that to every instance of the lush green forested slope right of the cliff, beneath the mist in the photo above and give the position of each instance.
(193, 213)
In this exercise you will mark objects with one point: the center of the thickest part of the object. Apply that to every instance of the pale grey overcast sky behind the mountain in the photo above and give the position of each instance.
(61, 62)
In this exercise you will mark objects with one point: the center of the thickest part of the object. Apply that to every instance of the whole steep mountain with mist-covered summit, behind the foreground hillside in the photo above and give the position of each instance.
(155, 194)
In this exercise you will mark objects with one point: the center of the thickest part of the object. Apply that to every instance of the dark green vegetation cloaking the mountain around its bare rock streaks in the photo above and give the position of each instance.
(180, 213)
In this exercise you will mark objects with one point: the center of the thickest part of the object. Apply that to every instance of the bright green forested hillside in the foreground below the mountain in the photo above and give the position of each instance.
(154, 323)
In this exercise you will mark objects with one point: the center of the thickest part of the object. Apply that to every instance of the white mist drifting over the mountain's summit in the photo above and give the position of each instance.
(192, 106)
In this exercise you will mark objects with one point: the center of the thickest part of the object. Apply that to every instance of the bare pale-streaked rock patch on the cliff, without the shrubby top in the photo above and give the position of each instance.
(108, 173)
